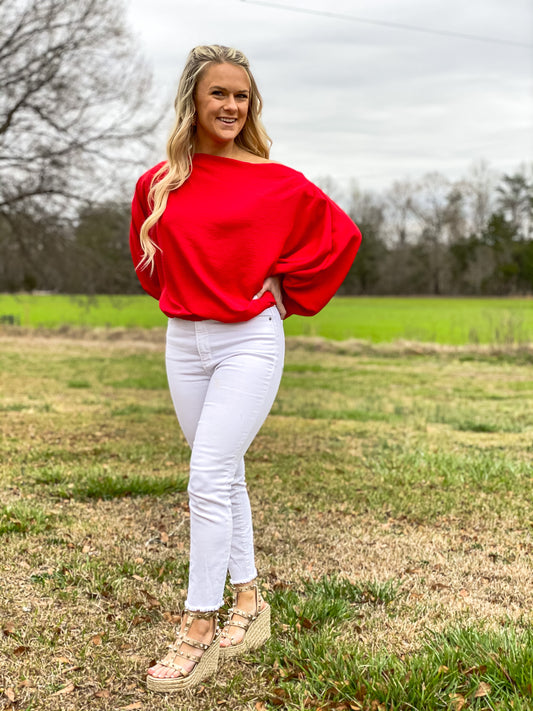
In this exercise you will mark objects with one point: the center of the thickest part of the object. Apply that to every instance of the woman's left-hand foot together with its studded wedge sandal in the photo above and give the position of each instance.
(192, 657)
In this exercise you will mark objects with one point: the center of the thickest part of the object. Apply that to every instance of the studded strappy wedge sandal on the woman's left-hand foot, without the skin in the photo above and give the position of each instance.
(205, 664)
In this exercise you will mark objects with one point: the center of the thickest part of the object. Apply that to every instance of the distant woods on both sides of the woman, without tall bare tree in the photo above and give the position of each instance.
(469, 237)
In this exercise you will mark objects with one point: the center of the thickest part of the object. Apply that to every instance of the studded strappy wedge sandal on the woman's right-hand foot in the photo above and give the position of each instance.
(256, 625)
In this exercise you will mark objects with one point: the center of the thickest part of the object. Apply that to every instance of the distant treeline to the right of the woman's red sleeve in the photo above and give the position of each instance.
(469, 237)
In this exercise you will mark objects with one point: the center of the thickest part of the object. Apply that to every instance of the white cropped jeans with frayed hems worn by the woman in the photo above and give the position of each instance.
(223, 380)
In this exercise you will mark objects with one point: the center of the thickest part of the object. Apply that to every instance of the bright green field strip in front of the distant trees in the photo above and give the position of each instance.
(381, 319)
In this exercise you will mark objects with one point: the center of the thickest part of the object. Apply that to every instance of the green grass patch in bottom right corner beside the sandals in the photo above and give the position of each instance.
(319, 667)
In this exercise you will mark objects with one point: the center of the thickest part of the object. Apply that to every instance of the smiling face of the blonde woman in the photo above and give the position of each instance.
(222, 97)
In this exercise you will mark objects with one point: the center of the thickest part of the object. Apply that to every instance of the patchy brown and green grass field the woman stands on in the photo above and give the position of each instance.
(393, 513)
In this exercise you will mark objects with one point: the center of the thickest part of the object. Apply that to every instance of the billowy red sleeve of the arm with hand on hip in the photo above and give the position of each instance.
(318, 253)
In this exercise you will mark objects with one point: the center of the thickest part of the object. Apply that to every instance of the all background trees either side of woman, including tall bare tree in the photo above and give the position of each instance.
(75, 124)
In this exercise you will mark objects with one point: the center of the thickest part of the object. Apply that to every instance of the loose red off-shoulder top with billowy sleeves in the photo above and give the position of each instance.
(232, 224)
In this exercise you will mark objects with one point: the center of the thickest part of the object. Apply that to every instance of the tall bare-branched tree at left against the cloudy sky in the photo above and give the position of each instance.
(72, 91)
